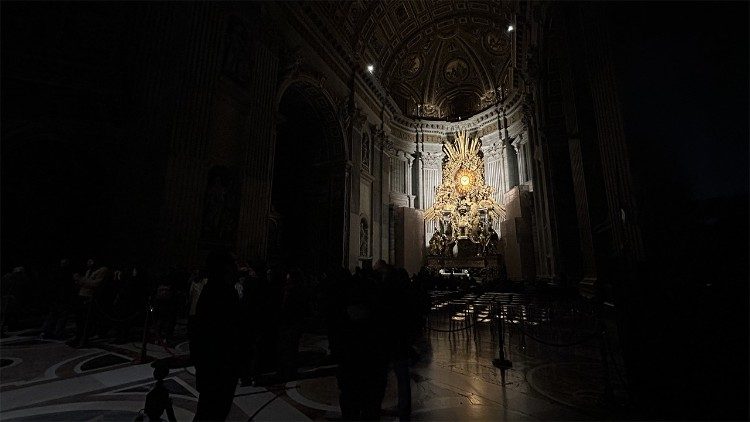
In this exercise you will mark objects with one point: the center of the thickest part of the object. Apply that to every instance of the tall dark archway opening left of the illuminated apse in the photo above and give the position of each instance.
(309, 185)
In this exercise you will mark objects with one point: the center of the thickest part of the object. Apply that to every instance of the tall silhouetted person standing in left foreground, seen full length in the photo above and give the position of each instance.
(214, 347)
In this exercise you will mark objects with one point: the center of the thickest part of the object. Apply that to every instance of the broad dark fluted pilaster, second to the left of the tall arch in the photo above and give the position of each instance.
(185, 180)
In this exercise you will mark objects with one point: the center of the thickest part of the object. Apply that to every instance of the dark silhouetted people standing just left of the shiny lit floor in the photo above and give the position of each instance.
(375, 317)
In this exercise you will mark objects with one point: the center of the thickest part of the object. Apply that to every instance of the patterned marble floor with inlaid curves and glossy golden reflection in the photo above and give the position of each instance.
(557, 373)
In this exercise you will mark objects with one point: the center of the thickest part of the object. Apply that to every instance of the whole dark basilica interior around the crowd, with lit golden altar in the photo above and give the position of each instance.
(567, 180)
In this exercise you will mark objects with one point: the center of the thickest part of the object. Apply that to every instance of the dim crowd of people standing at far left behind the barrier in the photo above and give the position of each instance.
(101, 300)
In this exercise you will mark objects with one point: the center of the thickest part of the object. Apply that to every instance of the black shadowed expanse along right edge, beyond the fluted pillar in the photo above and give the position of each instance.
(683, 71)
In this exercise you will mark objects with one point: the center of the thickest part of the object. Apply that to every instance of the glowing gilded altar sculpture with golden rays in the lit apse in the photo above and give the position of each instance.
(463, 206)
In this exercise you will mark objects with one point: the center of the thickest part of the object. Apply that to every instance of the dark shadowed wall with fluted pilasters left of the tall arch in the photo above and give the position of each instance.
(113, 117)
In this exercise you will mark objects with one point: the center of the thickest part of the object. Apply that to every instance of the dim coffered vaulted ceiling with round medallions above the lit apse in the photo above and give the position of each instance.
(440, 59)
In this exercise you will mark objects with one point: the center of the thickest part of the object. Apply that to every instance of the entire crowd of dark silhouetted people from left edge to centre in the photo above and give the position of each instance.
(244, 321)
